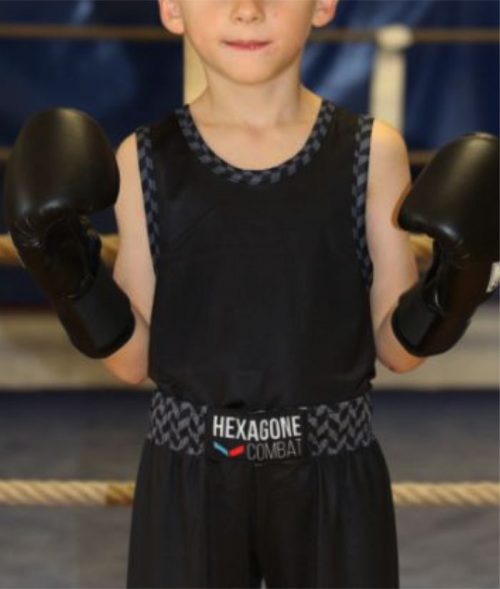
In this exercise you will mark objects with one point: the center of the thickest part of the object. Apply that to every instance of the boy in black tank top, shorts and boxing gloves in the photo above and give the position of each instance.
(246, 288)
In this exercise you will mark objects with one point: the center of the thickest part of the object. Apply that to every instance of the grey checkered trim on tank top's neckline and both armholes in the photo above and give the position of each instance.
(360, 177)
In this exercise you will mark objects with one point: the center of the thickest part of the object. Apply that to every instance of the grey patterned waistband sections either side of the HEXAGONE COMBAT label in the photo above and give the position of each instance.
(343, 426)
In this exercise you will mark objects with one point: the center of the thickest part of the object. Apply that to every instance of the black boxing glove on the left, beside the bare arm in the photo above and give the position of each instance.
(61, 169)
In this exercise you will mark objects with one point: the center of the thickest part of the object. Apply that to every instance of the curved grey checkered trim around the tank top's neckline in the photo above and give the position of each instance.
(254, 177)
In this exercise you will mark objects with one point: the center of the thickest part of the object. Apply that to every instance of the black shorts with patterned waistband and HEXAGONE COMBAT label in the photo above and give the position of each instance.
(300, 501)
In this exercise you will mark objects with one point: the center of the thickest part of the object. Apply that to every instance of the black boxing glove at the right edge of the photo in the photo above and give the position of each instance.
(455, 201)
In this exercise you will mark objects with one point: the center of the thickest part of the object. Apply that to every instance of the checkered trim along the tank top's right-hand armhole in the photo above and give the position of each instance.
(363, 130)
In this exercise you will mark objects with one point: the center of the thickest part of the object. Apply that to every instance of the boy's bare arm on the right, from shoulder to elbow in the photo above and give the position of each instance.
(394, 264)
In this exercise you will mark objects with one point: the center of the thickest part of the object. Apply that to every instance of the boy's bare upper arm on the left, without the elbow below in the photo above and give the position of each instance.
(133, 269)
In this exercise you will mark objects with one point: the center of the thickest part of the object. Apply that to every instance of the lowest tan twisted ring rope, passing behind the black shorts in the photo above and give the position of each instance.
(120, 493)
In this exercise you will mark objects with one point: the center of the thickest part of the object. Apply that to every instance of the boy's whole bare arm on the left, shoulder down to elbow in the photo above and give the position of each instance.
(133, 269)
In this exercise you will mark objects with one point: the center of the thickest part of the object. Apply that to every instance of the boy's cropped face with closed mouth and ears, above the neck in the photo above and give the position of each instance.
(210, 24)
